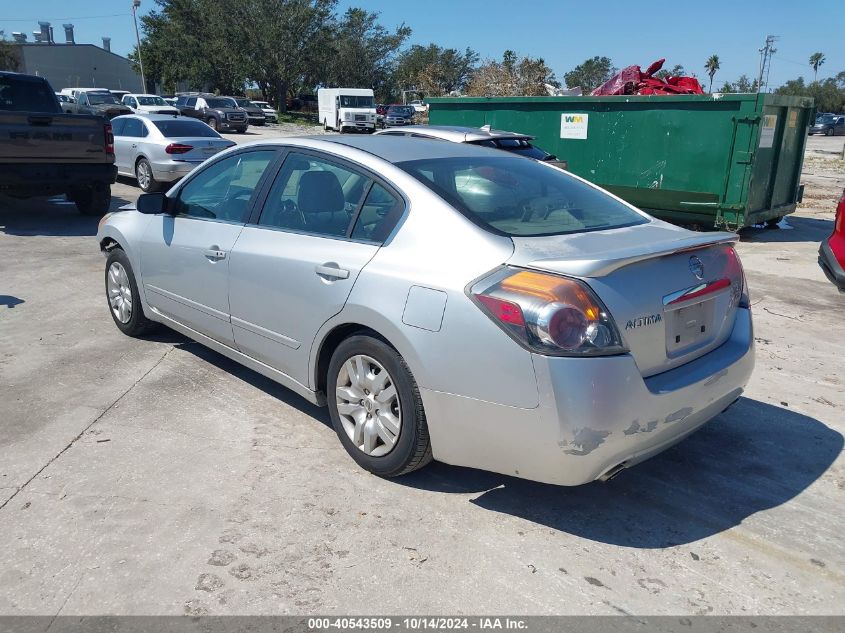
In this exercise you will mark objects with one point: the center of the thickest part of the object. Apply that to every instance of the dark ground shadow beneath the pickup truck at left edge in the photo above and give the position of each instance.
(53, 216)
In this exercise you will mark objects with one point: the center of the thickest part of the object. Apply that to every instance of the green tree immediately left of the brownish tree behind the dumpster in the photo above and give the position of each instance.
(433, 70)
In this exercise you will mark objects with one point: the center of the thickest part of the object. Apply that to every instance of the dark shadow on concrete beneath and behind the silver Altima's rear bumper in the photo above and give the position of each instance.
(753, 457)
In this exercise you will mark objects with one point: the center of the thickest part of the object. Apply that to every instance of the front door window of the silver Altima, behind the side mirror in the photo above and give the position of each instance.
(224, 189)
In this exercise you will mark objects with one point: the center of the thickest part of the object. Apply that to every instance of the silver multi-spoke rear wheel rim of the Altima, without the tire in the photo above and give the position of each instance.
(368, 405)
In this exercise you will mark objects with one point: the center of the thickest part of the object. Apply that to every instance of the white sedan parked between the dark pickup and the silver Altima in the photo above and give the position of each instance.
(158, 149)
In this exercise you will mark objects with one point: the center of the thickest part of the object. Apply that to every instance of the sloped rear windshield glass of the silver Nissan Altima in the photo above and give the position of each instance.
(522, 198)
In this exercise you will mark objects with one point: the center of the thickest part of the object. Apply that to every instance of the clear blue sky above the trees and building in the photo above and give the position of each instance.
(563, 32)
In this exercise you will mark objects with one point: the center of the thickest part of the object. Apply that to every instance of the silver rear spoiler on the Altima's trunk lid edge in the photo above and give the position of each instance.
(602, 264)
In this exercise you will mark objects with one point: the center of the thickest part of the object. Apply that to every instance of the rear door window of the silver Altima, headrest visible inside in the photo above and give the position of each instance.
(313, 195)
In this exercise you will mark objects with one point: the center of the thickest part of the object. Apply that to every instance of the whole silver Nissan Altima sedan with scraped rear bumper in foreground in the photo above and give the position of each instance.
(539, 327)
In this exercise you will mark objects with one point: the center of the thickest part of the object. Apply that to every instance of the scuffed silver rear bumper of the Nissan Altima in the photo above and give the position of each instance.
(595, 414)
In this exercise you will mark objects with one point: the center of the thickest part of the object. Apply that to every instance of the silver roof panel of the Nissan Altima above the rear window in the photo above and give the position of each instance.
(398, 149)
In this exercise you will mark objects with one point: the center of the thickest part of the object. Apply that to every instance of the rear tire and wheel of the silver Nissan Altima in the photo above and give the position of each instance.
(411, 447)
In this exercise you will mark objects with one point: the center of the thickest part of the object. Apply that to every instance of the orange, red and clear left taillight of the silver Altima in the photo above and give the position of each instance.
(546, 313)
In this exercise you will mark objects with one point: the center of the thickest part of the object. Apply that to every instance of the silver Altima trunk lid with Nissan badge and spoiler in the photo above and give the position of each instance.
(672, 294)
